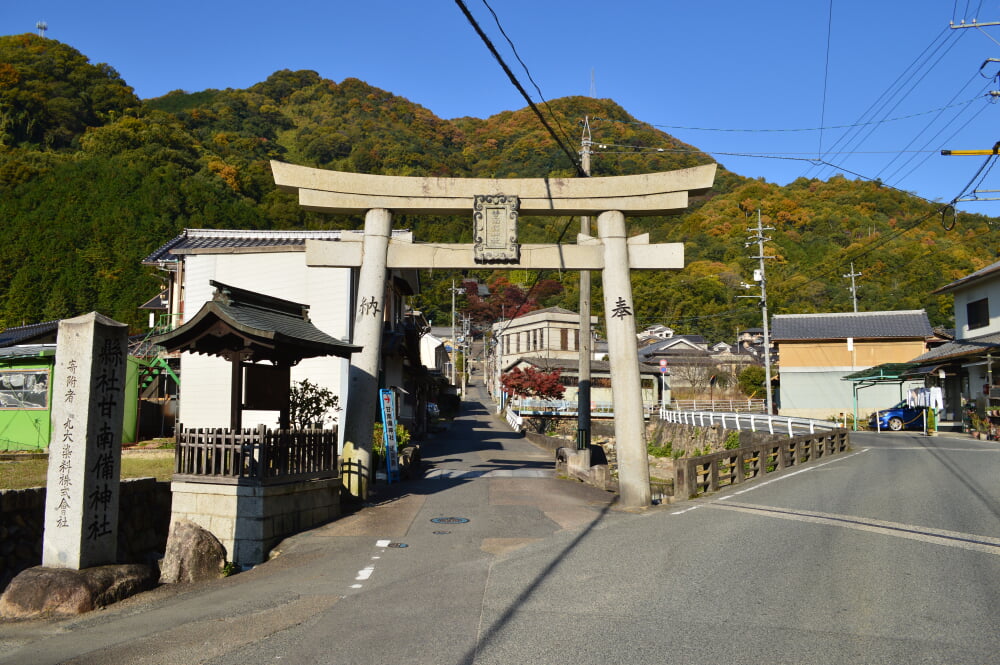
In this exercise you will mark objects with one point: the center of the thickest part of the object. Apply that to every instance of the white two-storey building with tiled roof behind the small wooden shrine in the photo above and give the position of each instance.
(273, 263)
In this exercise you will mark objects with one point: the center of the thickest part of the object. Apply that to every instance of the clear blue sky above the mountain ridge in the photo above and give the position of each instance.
(721, 66)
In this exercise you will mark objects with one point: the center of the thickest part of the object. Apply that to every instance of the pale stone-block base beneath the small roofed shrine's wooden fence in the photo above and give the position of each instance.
(250, 520)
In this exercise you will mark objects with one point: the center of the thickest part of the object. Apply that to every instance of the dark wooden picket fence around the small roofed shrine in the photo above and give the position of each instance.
(255, 456)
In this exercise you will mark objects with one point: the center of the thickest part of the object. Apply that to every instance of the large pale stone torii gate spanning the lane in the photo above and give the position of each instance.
(495, 205)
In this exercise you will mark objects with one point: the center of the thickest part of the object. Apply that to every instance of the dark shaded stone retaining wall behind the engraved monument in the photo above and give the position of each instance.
(143, 521)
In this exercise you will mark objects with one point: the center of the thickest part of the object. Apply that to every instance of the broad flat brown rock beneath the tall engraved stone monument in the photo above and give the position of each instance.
(43, 592)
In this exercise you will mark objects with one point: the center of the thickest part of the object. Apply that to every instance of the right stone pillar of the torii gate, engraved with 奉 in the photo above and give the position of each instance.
(626, 391)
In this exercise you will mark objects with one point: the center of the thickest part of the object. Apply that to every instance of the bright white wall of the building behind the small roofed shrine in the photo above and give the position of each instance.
(205, 380)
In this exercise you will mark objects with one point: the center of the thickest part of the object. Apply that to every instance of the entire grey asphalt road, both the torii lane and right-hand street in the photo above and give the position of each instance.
(888, 554)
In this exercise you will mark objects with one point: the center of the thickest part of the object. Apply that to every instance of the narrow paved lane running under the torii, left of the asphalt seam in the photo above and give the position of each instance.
(384, 585)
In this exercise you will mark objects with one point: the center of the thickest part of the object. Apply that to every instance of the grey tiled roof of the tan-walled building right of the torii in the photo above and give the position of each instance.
(859, 325)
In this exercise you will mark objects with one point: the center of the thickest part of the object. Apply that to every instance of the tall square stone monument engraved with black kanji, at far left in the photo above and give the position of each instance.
(88, 393)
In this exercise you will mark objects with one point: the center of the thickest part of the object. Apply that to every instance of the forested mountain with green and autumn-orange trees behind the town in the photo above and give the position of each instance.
(92, 179)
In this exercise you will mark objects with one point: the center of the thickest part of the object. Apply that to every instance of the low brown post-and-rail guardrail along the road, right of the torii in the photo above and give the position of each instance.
(709, 473)
